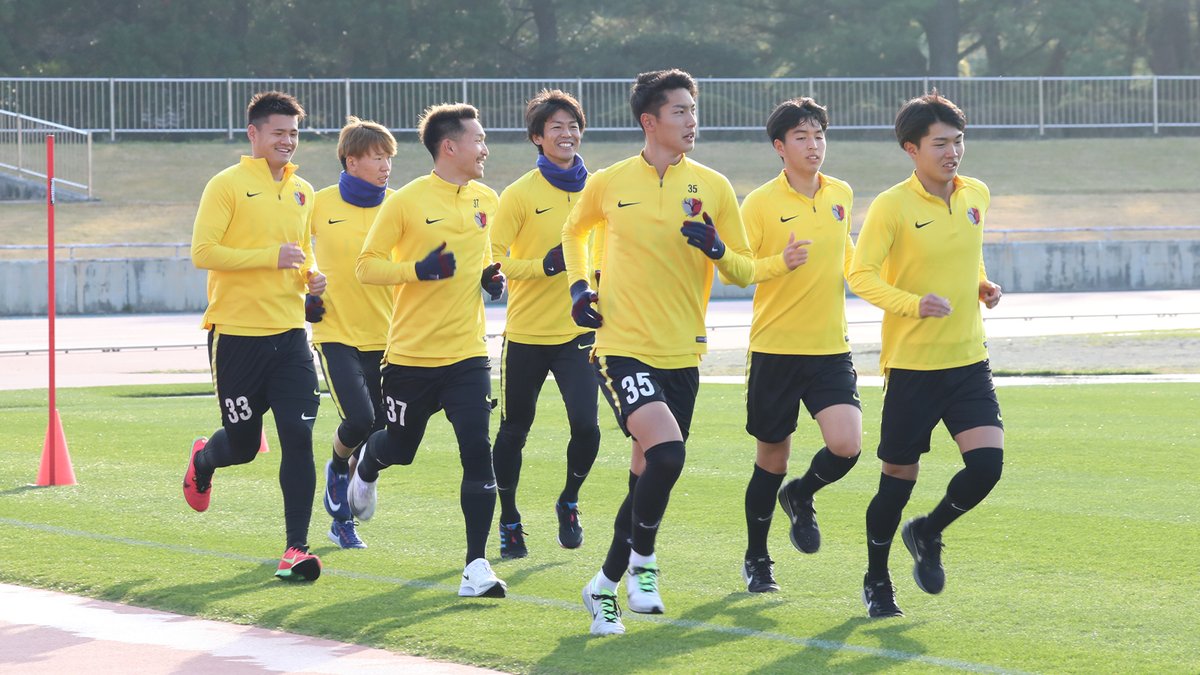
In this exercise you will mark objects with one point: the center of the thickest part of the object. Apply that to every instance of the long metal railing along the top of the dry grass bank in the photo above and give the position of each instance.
(136, 106)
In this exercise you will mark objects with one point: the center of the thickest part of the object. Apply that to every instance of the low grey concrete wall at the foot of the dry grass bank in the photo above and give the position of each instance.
(171, 285)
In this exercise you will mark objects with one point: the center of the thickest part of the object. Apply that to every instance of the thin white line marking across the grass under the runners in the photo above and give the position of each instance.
(827, 646)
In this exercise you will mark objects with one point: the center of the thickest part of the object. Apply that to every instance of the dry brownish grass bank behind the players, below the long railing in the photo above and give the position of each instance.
(149, 192)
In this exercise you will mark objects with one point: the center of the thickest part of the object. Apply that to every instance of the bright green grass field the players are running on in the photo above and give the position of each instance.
(1083, 560)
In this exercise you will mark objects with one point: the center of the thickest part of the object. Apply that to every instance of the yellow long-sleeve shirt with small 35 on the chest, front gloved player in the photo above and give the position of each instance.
(655, 286)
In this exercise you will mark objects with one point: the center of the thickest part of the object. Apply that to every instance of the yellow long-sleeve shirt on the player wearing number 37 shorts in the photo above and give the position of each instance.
(435, 322)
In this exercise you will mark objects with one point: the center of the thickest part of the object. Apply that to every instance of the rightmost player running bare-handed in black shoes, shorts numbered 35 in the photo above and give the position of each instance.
(920, 258)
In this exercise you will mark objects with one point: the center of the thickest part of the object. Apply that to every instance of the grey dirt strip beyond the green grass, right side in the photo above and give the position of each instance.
(1173, 351)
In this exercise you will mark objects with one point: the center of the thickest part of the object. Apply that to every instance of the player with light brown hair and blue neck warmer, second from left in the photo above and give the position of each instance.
(351, 336)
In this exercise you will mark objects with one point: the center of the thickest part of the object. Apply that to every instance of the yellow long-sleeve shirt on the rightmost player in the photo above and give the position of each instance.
(911, 246)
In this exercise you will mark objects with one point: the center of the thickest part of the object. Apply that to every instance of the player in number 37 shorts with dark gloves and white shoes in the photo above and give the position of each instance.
(436, 357)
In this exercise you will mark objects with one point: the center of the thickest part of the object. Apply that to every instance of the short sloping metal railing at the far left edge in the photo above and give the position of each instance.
(23, 151)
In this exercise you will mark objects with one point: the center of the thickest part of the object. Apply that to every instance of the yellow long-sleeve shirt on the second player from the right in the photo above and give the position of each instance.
(803, 312)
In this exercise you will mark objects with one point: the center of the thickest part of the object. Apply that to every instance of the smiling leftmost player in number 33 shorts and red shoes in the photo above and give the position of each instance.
(254, 235)
